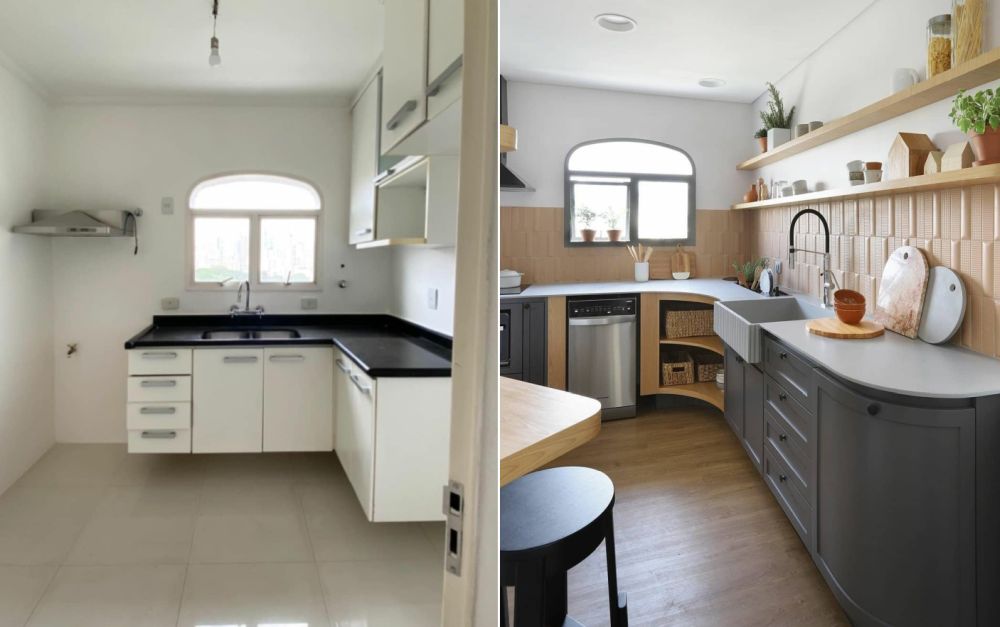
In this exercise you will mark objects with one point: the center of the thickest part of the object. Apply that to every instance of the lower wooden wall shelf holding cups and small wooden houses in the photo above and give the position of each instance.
(976, 175)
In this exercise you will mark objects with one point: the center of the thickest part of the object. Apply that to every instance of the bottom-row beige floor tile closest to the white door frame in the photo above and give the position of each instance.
(383, 594)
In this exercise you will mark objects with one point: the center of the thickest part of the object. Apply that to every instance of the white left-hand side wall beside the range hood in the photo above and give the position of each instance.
(26, 369)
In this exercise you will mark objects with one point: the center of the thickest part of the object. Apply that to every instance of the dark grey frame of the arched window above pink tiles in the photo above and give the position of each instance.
(633, 197)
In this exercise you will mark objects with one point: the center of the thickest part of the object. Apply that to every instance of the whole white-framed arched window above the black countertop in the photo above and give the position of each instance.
(260, 228)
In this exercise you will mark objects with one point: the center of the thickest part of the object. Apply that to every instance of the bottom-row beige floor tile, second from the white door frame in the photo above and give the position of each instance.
(254, 594)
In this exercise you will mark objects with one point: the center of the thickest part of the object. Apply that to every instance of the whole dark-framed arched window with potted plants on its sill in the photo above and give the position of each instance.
(629, 191)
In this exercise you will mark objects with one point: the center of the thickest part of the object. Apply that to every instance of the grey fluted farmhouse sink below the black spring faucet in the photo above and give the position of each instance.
(738, 322)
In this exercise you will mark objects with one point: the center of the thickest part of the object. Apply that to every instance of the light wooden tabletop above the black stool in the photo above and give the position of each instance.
(538, 424)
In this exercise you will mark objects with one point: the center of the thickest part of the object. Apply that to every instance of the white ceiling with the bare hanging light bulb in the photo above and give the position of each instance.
(157, 50)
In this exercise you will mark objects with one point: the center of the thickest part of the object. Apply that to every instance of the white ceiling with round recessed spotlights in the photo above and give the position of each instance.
(676, 43)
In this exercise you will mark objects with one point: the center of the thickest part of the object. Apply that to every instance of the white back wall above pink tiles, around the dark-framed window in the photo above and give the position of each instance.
(551, 119)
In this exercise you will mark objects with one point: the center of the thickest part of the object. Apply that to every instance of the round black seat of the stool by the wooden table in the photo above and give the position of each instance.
(549, 506)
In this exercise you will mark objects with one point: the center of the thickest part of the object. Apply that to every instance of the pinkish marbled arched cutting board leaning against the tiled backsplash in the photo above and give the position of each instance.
(901, 296)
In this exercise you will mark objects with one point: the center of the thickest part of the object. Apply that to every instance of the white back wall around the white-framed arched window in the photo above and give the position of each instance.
(120, 157)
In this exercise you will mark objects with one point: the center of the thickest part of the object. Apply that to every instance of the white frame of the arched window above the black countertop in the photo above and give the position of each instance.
(255, 216)
